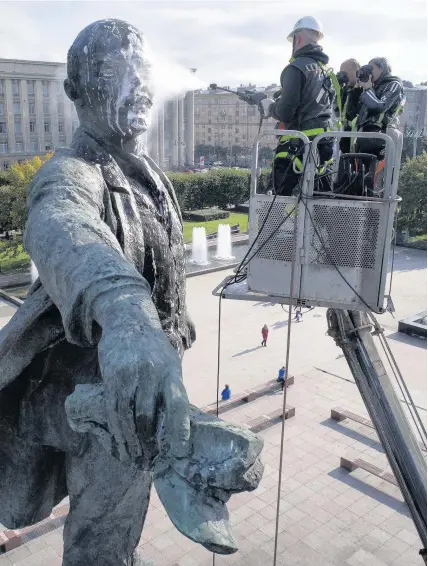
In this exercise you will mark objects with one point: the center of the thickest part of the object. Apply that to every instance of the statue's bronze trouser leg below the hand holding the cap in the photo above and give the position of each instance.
(108, 505)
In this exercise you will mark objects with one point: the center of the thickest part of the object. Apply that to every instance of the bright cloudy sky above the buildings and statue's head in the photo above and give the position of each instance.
(228, 42)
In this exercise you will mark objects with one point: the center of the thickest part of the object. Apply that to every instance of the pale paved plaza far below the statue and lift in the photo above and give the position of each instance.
(328, 516)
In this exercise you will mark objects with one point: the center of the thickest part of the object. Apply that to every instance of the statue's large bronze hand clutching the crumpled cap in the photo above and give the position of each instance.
(142, 379)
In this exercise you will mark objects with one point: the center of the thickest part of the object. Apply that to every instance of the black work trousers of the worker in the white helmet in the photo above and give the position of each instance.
(284, 179)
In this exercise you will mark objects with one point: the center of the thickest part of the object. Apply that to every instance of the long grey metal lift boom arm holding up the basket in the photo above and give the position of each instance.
(352, 332)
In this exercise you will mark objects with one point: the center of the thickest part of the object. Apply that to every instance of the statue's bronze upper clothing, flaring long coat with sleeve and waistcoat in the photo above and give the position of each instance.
(91, 228)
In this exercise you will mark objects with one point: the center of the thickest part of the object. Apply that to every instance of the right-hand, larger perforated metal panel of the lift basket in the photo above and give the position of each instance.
(344, 236)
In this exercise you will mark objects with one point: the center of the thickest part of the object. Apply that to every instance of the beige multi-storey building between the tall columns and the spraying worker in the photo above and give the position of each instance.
(222, 119)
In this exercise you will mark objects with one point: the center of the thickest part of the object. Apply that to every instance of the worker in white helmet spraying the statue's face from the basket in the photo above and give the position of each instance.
(305, 104)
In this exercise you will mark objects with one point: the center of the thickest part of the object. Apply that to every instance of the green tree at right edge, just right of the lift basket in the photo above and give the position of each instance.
(412, 186)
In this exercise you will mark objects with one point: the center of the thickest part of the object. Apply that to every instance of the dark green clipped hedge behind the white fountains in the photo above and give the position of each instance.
(218, 188)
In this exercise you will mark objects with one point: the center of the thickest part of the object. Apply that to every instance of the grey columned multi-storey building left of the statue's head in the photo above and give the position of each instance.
(35, 114)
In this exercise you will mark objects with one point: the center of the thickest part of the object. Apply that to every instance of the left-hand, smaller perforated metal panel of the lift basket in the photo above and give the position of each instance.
(276, 239)
